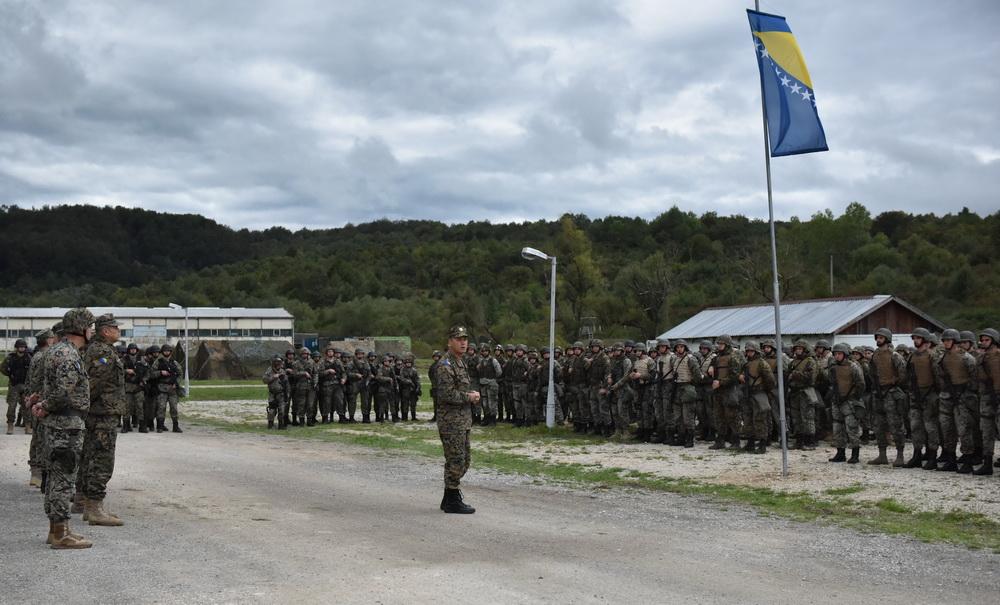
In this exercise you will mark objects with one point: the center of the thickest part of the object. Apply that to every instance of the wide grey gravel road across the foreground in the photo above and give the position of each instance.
(216, 517)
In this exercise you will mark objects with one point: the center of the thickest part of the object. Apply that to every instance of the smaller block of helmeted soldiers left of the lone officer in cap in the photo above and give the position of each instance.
(306, 388)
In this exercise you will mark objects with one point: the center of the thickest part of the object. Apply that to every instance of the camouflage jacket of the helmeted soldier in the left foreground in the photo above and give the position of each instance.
(66, 388)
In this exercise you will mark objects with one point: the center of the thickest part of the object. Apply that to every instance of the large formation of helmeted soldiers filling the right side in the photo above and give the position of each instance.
(939, 393)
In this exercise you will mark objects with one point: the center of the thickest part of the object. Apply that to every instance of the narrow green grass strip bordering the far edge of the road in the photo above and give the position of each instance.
(887, 516)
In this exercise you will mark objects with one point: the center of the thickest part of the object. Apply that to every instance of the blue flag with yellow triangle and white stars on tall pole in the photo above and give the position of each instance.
(789, 103)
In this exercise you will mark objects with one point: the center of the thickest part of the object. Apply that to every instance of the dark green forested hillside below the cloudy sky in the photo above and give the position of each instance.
(622, 277)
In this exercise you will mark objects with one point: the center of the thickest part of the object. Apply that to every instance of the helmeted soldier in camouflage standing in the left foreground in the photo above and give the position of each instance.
(62, 407)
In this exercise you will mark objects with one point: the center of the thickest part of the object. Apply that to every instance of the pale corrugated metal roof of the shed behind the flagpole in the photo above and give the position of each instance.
(809, 317)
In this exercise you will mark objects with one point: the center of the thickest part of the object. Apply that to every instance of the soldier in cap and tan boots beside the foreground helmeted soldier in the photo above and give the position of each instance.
(106, 374)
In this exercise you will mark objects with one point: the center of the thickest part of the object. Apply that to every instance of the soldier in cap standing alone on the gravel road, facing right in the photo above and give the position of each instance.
(455, 419)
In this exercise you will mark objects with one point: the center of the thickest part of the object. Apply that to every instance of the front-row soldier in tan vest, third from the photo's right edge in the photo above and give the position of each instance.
(924, 388)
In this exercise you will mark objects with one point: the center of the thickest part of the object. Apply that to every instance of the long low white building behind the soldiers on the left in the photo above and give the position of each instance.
(156, 325)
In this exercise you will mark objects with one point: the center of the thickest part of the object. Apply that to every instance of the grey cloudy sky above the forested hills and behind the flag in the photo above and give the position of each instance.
(318, 113)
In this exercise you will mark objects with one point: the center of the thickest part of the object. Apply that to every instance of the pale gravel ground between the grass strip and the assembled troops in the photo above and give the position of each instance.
(809, 471)
